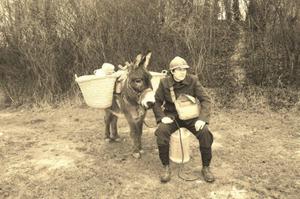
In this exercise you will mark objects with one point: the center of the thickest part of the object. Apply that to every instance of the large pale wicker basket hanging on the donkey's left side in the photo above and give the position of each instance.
(97, 91)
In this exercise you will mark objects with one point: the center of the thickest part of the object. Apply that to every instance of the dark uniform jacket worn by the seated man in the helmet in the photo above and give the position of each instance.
(164, 105)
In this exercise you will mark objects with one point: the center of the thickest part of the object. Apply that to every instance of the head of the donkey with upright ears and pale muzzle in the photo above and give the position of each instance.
(139, 81)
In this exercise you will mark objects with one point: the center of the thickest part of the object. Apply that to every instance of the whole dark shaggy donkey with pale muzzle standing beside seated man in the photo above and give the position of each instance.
(135, 96)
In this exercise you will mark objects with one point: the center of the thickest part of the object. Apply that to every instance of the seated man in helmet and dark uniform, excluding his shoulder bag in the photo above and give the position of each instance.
(168, 119)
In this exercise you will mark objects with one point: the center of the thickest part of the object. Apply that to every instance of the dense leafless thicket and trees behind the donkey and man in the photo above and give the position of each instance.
(246, 52)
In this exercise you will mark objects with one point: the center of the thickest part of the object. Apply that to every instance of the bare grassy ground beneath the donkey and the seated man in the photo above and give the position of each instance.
(60, 153)
